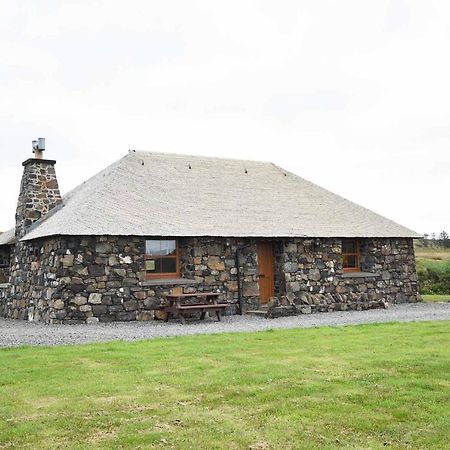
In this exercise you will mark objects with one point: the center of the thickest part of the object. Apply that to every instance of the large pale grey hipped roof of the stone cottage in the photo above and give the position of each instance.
(156, 194)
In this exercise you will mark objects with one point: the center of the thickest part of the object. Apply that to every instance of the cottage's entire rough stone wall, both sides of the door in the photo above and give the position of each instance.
(89, 279)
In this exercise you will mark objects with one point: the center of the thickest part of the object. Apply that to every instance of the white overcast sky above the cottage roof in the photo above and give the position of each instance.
(352, 95)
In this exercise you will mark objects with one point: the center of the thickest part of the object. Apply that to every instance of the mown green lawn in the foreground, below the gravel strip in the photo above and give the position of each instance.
(367, 386)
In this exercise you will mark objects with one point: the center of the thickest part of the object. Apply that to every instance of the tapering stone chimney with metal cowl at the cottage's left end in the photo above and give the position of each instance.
(39, 191)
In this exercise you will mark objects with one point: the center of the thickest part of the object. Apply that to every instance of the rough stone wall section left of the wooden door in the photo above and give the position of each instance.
(87, 279)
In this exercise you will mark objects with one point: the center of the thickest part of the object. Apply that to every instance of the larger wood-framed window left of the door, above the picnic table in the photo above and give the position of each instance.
(161, 258)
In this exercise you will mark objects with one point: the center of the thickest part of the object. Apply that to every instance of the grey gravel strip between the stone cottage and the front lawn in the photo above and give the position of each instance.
(16, 332)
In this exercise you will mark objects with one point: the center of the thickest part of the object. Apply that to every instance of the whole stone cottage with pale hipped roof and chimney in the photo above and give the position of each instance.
(151, 223)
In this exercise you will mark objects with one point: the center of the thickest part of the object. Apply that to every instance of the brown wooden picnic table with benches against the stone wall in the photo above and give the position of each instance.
(177, 303)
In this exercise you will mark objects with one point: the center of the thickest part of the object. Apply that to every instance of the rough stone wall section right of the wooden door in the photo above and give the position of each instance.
(312, 276)
